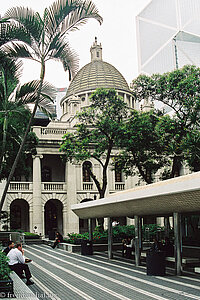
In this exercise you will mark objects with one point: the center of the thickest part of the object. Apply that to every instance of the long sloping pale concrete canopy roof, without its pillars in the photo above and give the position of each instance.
(180, 194)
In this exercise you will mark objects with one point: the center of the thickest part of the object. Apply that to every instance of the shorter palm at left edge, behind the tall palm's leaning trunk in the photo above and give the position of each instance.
(14, 98)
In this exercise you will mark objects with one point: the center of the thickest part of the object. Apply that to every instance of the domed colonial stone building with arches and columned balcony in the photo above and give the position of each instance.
(41, 203)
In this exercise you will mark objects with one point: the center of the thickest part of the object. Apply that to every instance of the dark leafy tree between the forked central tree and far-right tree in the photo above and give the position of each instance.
(142, 152)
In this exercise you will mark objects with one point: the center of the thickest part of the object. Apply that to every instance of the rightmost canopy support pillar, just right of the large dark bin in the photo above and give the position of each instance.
(177, 243)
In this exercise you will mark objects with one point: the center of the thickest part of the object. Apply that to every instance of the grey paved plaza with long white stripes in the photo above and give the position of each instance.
(68, 276)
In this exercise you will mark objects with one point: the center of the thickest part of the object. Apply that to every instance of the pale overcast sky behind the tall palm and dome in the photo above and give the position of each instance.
(117, 35)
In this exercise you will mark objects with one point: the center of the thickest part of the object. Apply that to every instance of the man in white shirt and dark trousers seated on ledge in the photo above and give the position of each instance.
(17, 263)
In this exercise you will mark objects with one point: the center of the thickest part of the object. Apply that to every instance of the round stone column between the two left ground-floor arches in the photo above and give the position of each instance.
(37, 195)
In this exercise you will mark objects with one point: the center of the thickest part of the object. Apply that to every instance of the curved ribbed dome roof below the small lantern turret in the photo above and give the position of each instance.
(97, 74)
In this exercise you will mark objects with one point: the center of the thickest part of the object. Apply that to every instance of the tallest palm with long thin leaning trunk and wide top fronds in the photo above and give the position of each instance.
(44, 38)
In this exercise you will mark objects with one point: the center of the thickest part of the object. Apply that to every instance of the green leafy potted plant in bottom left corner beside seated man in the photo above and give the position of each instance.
(6, 283)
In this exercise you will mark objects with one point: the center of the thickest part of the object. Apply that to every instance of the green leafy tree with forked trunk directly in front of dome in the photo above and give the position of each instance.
(97, 133)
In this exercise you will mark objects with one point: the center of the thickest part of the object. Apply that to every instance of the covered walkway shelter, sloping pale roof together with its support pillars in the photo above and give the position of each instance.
(170, 197)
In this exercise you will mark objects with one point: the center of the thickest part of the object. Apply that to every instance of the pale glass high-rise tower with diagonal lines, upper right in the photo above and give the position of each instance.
(168, 35)
